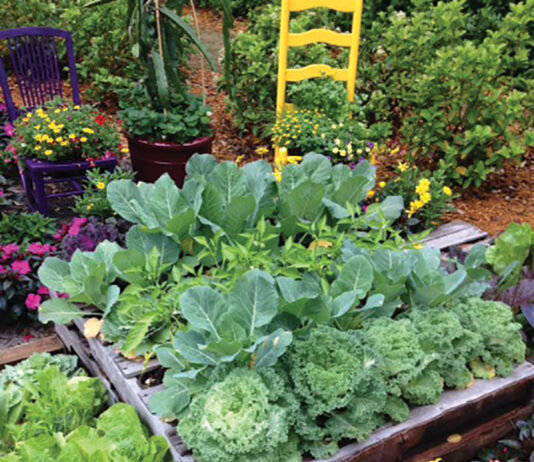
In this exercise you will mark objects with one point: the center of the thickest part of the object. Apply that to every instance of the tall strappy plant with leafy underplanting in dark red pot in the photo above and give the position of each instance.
(164, 124)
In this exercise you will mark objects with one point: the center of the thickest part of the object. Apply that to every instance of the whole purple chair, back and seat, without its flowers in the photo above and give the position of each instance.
(37, 68)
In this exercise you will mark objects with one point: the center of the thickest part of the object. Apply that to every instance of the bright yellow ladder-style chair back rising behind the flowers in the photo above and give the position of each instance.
(289, 40)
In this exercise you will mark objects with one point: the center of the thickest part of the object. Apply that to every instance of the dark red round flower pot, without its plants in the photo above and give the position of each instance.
(151, 160)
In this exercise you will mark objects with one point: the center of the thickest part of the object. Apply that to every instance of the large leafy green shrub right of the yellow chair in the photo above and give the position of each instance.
(459, 103)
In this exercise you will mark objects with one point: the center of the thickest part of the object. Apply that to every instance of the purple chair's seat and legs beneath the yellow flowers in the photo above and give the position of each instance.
(39, 174)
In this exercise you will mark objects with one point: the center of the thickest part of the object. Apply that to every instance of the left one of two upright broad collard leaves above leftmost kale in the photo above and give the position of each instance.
(204, 307)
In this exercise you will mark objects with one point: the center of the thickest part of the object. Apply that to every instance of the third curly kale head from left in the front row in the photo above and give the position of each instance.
(406, 367)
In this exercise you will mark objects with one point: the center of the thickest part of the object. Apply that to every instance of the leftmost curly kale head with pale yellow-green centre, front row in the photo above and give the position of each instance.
(247, 416)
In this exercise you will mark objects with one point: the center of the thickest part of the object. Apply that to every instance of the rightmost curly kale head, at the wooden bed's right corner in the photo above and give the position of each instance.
(501, 343)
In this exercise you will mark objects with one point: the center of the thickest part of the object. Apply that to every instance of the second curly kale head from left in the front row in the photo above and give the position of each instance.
(342, 394)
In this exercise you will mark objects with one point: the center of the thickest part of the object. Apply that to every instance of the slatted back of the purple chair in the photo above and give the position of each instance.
(37, 67)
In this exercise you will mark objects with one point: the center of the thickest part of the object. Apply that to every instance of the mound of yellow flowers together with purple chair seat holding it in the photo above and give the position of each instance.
(58, 143)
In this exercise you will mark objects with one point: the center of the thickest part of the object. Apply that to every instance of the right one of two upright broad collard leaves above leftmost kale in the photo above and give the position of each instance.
(253, 302)
